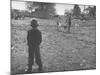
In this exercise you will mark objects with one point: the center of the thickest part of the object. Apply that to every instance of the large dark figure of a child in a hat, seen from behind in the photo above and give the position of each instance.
(34, 39)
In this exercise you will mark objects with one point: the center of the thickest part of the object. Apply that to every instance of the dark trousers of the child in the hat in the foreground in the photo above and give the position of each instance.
(34, 53)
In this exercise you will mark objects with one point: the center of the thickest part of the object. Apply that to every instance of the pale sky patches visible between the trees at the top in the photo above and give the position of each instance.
(60, 8)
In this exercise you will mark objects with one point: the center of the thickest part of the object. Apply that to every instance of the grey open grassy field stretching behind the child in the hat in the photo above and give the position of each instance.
(59, 51)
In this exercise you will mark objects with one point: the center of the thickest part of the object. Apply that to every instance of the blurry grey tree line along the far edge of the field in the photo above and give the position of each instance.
(47, 10)
